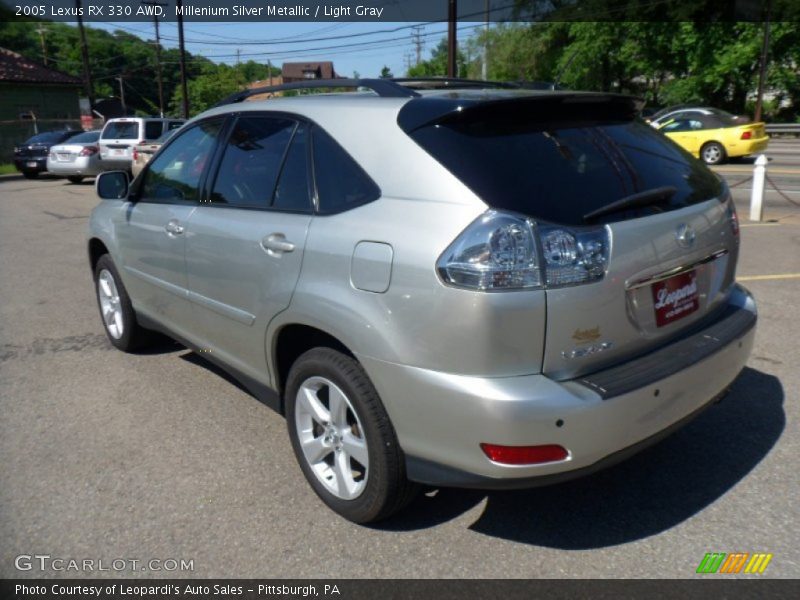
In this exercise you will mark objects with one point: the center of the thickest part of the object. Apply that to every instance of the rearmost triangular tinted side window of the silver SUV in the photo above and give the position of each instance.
(341, 183)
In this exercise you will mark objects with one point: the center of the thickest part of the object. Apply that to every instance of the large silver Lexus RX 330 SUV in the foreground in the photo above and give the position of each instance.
(477, 286)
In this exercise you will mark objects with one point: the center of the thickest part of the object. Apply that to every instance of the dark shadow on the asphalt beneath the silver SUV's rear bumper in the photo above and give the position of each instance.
(650, 493)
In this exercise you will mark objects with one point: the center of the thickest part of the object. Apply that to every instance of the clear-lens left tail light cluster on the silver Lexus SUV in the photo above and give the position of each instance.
(504, 251)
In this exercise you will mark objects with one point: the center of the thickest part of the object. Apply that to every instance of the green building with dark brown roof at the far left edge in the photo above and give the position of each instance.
(33, 98)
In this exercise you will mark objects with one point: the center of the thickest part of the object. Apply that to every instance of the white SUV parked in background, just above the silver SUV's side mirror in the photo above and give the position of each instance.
(121, 135)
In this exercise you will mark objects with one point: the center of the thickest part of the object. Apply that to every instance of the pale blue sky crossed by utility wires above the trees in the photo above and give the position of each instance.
(378, 44)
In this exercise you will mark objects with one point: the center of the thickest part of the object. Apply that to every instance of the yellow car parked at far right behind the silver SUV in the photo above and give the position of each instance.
(711, 134)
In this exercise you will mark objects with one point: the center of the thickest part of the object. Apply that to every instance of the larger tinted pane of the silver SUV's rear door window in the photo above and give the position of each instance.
(252, 160)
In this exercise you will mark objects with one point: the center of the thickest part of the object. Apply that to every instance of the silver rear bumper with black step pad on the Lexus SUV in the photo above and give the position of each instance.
(441, 419)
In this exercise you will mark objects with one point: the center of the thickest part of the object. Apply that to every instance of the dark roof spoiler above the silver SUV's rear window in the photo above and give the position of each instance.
(553, 106)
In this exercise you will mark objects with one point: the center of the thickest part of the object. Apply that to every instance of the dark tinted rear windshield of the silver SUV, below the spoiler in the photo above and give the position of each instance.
(557, 165)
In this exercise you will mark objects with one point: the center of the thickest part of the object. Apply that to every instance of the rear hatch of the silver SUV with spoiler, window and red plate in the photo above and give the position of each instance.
(564, 160)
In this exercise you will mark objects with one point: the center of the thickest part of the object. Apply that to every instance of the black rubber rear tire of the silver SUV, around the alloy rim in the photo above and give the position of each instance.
(387, 490)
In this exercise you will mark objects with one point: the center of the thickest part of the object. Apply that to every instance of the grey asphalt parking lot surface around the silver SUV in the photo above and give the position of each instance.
(159, 456)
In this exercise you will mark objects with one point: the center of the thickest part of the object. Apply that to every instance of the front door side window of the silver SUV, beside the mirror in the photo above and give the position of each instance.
(175, 174)
